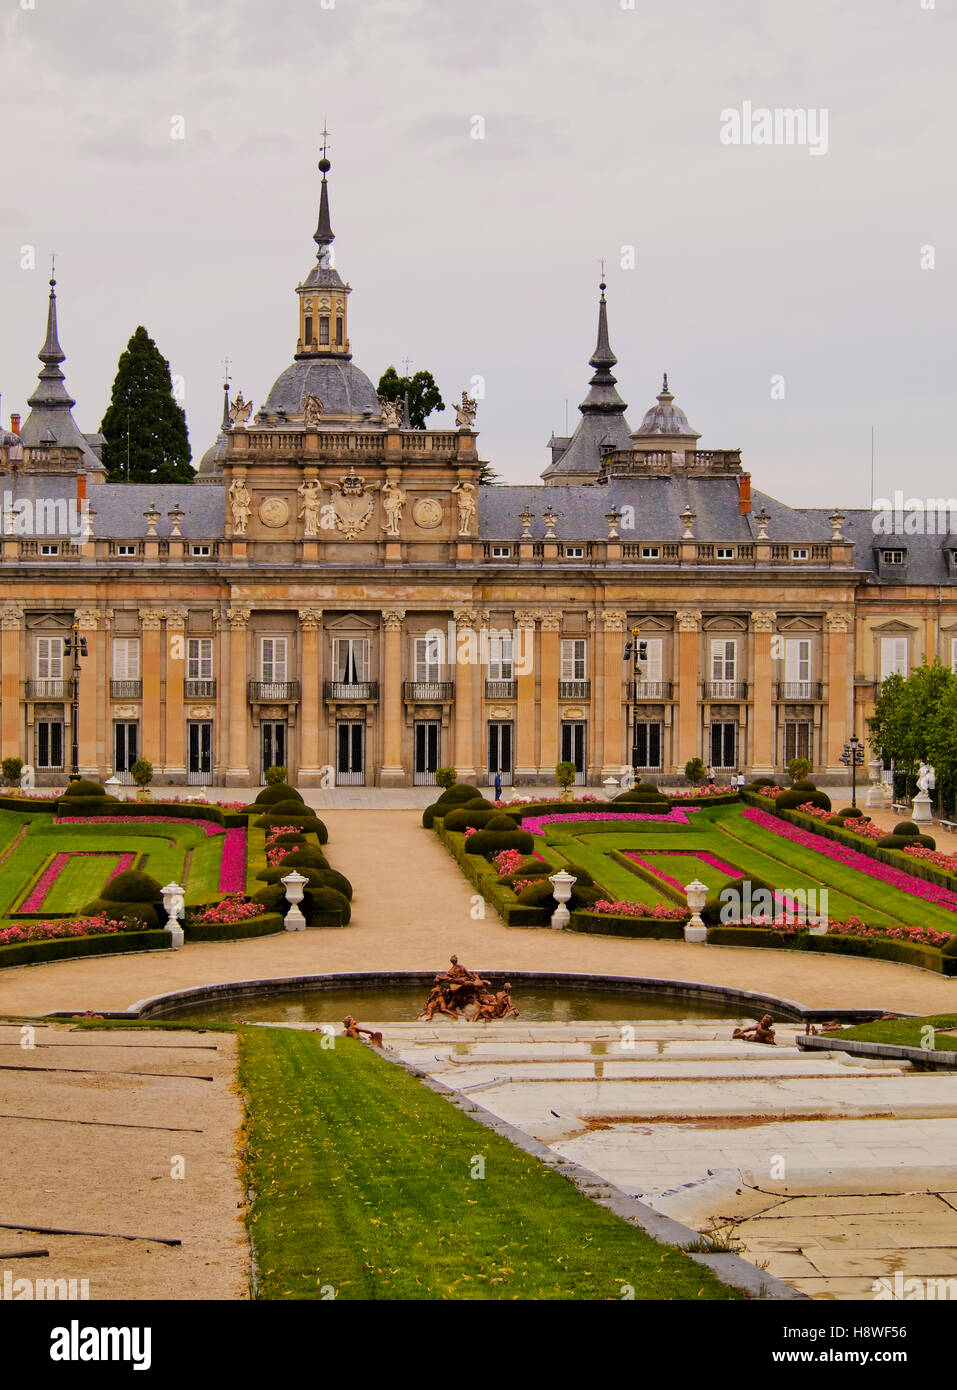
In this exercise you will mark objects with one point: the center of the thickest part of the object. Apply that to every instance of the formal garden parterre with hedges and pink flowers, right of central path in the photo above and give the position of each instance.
(782, 869)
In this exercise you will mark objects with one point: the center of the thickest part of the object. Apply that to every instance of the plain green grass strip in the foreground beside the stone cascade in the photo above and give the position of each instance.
(362, 1185)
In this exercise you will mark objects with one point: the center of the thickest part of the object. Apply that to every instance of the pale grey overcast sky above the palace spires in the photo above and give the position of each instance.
(482, 256)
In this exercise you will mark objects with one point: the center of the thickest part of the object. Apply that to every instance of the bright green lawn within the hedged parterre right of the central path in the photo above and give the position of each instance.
(724, 832)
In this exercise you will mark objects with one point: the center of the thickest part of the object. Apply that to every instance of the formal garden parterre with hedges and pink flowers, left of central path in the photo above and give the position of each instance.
(83, 872)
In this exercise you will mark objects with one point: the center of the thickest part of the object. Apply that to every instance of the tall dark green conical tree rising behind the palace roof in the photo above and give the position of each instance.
(145, 427)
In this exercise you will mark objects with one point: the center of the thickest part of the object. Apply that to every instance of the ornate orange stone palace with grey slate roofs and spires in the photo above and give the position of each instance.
(340, 594)
